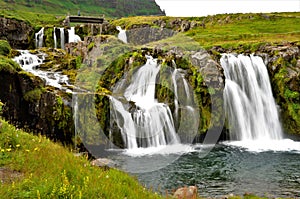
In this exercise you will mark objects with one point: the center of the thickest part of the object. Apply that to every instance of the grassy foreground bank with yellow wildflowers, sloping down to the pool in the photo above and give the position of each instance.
(48, 170)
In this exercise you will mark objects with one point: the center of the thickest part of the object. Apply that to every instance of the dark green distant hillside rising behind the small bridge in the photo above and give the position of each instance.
(111, 8)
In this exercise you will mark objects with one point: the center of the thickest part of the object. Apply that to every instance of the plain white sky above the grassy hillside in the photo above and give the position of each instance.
(186, 8)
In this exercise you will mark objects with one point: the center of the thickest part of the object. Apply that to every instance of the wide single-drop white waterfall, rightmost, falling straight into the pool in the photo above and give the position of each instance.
(249, 103)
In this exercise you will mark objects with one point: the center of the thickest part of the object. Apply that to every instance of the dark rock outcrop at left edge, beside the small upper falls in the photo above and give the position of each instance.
(15, 32)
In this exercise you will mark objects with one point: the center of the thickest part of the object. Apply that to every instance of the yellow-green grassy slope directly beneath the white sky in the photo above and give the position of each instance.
(229, 30)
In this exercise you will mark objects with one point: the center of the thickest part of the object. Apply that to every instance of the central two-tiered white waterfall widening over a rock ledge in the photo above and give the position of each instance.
(147, 123)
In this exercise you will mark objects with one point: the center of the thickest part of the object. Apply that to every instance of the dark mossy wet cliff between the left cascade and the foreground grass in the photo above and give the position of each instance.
(29, 105)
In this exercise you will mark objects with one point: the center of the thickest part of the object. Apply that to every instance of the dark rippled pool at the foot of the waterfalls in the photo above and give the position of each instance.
(224, 170)
